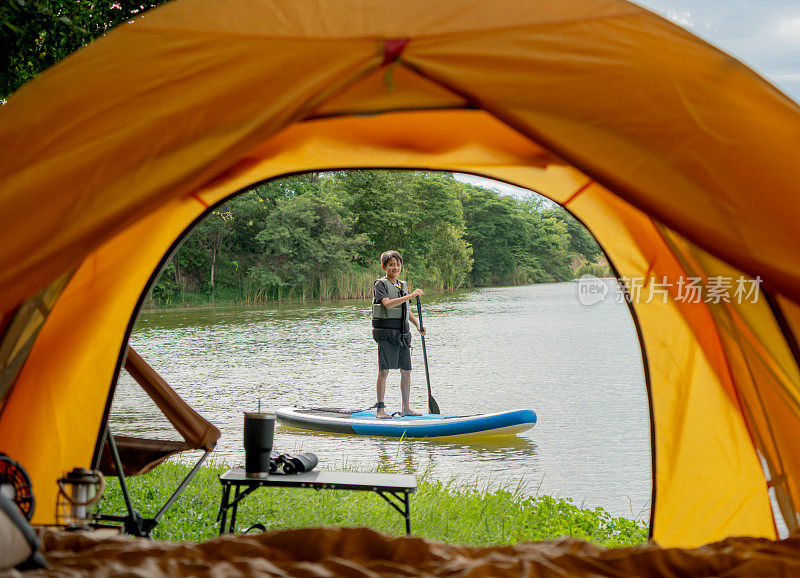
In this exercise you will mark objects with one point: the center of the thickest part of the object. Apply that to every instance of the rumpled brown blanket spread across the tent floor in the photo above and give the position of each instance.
(359, 552)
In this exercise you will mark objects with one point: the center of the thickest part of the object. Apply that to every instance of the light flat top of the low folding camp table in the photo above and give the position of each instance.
(320, 479)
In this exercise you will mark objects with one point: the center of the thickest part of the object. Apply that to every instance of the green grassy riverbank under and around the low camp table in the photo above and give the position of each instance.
(463, 514)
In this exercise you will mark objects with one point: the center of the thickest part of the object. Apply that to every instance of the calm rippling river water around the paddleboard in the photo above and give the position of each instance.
(535, 347)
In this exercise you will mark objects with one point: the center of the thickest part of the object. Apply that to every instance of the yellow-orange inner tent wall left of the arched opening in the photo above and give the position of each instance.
(58, 391)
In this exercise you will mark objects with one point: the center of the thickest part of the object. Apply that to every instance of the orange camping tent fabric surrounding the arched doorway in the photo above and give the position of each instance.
(676, 157)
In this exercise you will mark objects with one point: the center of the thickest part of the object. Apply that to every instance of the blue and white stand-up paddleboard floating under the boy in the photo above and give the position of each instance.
(422, 426)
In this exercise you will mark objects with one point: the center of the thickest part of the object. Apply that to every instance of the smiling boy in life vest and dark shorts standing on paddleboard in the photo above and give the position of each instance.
(390, 317)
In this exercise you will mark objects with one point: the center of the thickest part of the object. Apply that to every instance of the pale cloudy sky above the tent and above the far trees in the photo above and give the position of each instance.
(765, 35)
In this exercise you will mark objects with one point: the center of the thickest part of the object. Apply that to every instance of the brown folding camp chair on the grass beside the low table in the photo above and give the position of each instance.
(130, 456)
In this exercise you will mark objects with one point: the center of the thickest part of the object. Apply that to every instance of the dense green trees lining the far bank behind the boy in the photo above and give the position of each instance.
(319, 236)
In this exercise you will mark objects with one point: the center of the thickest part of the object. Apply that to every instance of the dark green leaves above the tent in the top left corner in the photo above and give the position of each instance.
(35, 34)
